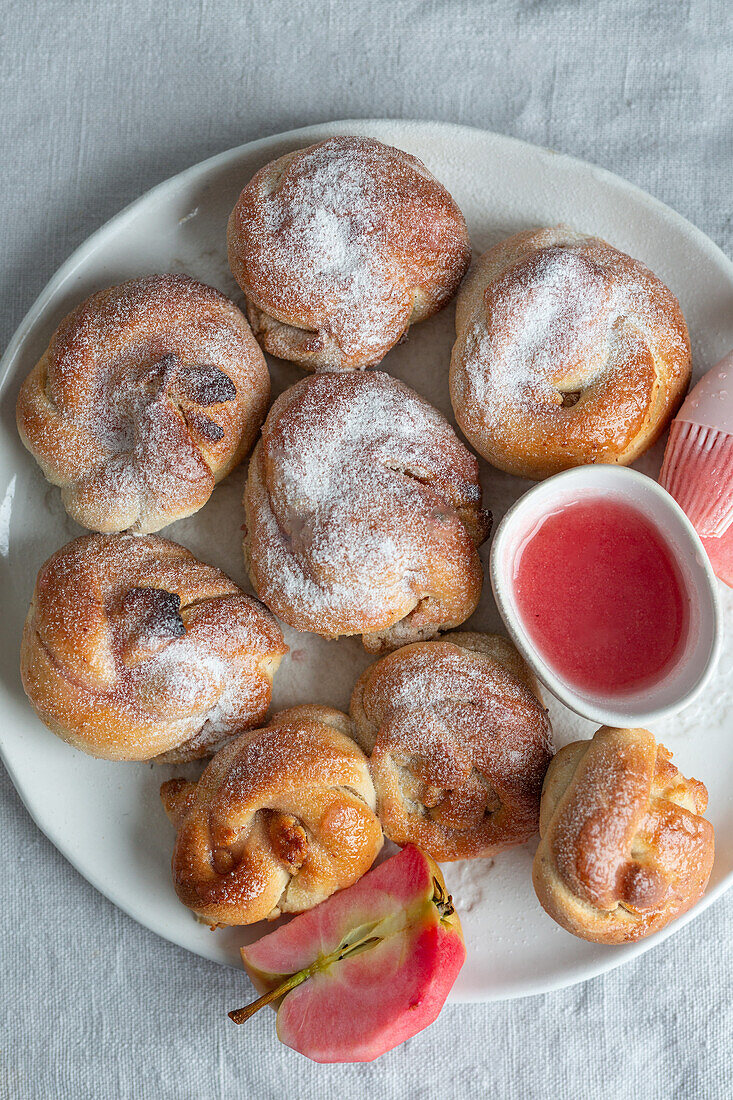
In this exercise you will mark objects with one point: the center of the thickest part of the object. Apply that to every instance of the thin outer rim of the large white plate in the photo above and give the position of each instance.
(617, 955)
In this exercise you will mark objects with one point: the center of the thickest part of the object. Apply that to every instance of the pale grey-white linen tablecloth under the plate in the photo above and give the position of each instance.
(100, 102)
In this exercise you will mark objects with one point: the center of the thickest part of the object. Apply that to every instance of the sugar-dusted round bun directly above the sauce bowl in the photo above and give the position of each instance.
(568, 353)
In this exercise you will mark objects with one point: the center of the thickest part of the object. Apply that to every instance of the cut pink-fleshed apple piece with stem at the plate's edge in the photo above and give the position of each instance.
(365, 971)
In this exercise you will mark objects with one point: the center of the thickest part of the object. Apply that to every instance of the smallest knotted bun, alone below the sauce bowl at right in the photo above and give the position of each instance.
(625, 845)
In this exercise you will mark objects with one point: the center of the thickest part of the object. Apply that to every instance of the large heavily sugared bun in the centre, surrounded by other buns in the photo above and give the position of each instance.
(364, 513)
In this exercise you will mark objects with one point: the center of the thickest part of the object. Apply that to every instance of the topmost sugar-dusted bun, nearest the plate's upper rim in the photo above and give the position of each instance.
(340, 248)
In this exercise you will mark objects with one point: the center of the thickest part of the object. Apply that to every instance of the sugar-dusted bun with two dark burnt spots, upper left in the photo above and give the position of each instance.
(148, 395)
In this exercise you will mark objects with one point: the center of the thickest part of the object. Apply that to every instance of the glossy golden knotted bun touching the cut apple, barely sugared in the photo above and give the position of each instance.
(281, 819)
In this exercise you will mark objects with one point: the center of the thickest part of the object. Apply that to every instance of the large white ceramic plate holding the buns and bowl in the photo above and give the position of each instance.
(106, 818)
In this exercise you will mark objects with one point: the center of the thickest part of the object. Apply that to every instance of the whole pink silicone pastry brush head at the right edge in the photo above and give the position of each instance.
(698, 466)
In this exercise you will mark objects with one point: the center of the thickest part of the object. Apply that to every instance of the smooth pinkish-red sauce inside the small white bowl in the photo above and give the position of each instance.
(601, 597)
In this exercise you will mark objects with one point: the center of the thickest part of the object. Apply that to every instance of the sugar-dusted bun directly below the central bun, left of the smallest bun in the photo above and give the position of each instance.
(458, 742)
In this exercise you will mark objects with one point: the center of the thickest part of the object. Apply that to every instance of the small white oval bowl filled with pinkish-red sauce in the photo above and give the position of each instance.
(607, 592)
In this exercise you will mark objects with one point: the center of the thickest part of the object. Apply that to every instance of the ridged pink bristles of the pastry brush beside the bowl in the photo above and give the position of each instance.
(698, 472)
